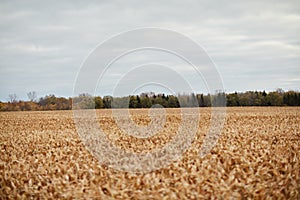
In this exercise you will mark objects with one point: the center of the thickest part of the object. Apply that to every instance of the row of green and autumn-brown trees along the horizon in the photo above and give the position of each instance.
(147, 100)
